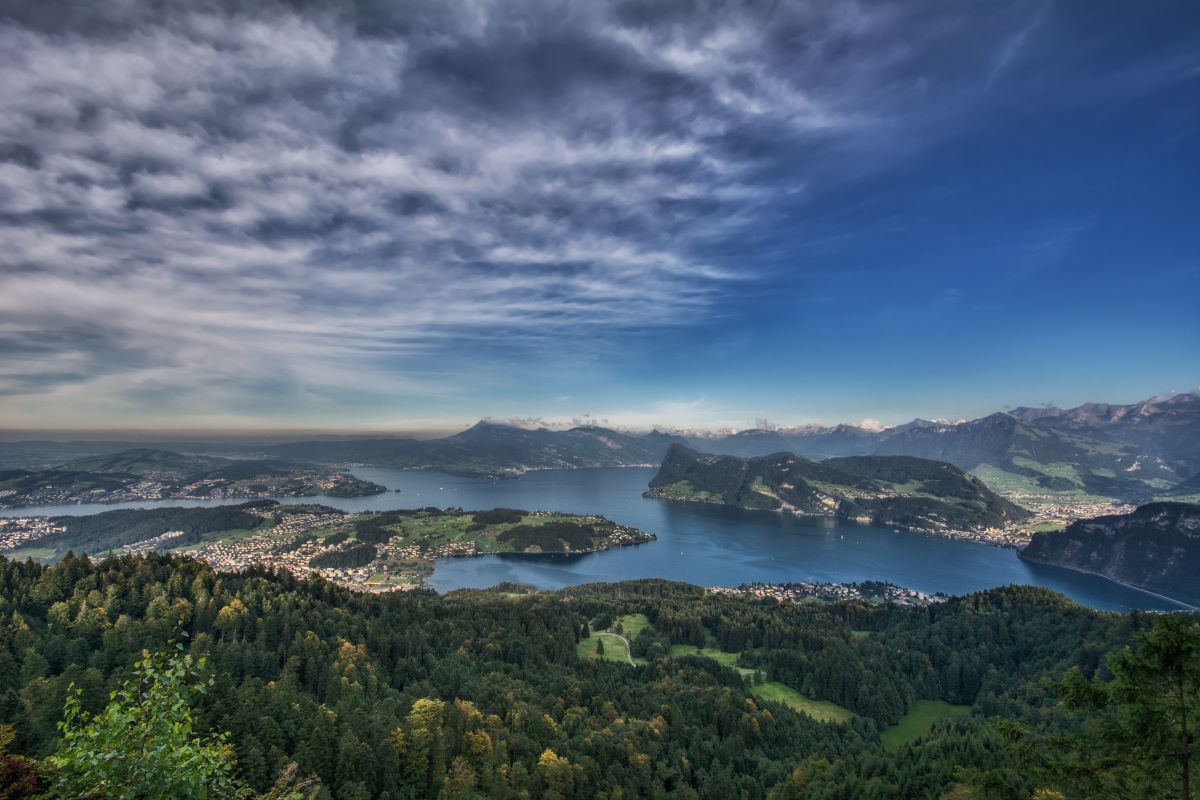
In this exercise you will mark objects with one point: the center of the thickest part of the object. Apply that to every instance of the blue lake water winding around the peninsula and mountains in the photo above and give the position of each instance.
(697, 544)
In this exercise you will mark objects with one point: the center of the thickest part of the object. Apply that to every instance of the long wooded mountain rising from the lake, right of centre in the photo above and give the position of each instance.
(891, 491)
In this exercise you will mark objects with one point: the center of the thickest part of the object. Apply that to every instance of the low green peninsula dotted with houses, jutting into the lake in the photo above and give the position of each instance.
(375, 552)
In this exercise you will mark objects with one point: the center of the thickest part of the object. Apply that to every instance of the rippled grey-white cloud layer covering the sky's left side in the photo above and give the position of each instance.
(237, 212)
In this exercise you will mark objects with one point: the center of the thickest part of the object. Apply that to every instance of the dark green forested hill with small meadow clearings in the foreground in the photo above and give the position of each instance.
(497, 694)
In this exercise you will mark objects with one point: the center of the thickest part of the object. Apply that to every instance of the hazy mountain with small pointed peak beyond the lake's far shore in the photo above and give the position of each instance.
(491, 449)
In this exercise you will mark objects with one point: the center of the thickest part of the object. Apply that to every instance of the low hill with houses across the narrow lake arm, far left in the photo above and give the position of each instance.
(146, 474)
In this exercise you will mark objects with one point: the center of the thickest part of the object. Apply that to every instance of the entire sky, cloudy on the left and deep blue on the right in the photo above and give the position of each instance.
(401, 215)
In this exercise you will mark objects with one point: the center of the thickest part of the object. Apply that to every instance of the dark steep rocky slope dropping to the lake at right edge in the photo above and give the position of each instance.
(1156, 548)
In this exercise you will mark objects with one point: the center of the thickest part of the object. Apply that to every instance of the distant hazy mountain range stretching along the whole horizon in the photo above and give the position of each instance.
(1135, 452)
